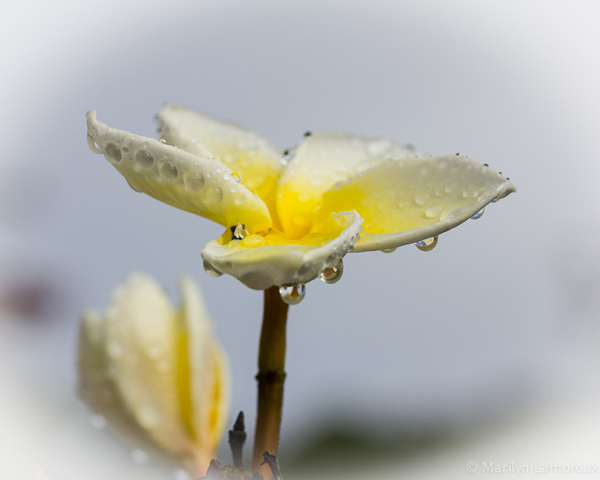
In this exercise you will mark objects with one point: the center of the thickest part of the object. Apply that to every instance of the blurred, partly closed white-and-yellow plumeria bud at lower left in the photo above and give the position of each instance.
(157, 374)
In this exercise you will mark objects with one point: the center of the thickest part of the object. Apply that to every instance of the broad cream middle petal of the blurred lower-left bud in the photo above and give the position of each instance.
(141, 345)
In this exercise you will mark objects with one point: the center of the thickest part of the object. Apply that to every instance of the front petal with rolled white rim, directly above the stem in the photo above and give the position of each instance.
(258, 264)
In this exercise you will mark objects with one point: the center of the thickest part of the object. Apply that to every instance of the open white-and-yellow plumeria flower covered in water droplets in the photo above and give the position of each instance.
(292, 216)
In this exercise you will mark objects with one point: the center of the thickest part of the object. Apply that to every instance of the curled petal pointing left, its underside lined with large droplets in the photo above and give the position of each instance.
(200, 185)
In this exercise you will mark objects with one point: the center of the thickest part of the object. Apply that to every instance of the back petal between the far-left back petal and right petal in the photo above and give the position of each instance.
(322, 160)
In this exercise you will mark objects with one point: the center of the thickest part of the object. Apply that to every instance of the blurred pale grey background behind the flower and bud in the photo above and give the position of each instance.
(483, 350)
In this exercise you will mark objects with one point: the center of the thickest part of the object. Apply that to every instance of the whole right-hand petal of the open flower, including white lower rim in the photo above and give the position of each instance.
(407, 200)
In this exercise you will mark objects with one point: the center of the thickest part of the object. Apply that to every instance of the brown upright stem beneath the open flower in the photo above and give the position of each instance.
(270, 377)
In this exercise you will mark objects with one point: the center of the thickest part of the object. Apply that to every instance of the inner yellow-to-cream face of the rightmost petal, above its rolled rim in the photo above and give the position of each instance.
(408, 194)
